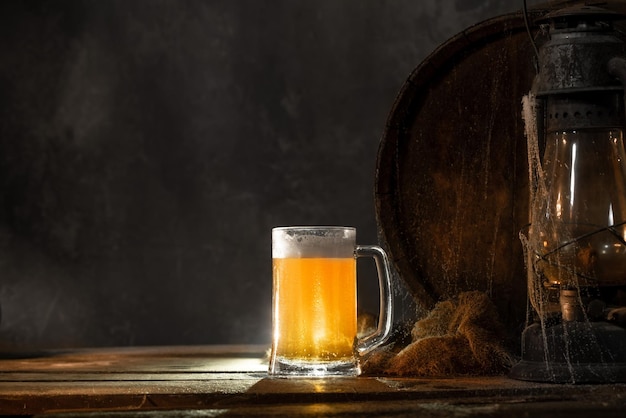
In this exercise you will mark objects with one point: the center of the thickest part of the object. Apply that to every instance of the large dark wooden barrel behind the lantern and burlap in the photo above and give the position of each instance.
(452, 173)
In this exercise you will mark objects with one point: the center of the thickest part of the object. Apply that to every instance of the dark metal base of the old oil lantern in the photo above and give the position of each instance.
(572, 352)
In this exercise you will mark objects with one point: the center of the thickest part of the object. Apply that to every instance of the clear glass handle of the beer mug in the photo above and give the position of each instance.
(385, 317)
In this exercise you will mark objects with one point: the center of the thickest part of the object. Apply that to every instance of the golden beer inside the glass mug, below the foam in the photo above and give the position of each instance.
(315, 308)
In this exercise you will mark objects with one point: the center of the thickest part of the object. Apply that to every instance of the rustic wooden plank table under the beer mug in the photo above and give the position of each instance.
(232, 381)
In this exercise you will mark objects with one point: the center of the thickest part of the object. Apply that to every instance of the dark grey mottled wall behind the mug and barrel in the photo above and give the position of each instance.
(147, 147)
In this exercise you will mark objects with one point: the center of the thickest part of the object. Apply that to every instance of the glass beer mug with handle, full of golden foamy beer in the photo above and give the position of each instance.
(314, 300)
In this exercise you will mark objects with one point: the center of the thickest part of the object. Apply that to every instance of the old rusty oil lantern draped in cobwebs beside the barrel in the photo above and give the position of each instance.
(576, 242)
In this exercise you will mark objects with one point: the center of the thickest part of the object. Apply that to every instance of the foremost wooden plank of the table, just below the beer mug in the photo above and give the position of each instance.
(260, 394)
